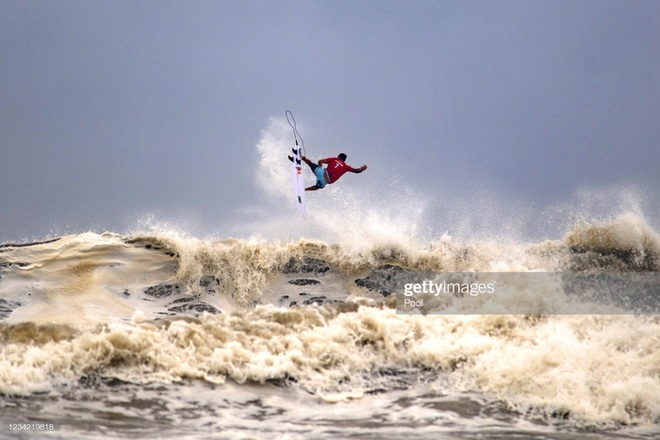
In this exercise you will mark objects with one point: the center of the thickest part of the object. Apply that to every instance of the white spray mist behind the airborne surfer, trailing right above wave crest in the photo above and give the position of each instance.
(381, 207)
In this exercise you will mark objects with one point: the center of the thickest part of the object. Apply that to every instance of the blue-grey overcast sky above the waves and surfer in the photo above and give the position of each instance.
(114, 110)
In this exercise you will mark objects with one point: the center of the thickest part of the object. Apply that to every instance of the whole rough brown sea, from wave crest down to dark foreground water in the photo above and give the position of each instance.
(162, 335)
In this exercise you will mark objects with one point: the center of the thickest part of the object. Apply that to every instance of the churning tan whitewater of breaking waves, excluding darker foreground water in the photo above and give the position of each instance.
(317, 318)
